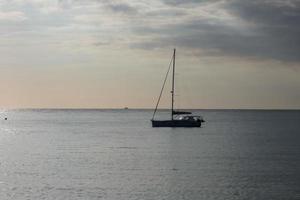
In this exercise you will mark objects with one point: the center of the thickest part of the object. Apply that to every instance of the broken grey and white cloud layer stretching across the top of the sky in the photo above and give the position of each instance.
(258, 29)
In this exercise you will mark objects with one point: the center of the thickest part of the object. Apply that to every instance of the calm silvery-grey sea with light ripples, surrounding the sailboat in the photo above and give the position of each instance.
(115, 154)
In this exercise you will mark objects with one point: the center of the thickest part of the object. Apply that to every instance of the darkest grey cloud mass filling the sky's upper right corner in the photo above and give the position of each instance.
(277, 24)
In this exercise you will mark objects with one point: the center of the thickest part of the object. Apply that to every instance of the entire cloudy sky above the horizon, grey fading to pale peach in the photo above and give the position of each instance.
(115, 53)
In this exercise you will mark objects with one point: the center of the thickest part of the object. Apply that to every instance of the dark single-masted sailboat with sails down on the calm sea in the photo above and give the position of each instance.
(178, 118)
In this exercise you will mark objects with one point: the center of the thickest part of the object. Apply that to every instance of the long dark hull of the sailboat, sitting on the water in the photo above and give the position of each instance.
(176, 123)
